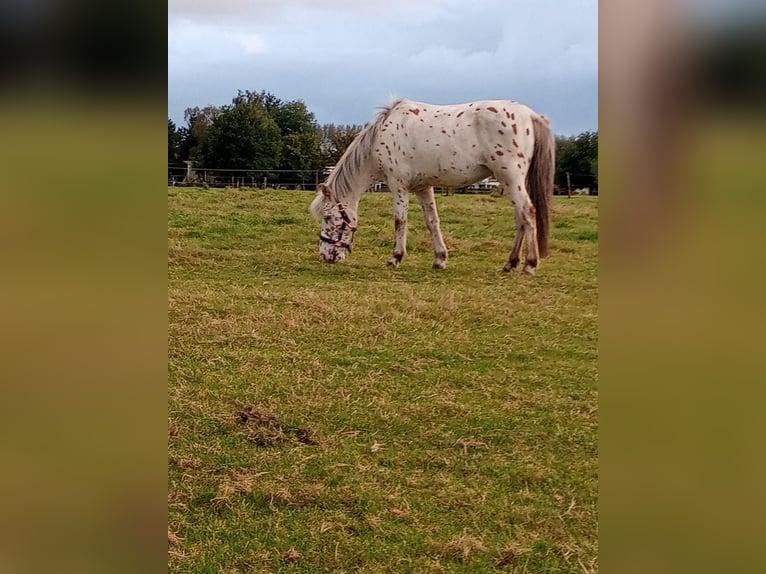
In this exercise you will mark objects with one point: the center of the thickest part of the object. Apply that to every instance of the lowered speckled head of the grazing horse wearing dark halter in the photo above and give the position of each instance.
(338, 225)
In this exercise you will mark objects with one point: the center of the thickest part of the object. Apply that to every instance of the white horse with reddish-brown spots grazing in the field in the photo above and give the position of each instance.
(414, 146)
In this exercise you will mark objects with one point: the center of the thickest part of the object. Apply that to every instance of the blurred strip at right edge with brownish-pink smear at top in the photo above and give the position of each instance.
(682, 113)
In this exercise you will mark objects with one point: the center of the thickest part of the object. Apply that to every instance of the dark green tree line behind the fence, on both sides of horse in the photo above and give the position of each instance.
(263, 133)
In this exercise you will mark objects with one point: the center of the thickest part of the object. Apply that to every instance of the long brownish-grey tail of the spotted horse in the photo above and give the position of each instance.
(540, 178)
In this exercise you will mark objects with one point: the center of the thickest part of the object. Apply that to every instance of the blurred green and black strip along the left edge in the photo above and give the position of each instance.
(82, 299)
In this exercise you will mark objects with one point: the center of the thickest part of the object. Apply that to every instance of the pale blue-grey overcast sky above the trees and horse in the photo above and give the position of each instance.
(345, 58)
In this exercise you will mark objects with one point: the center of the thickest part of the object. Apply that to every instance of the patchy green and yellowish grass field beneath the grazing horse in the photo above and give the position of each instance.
(355, 418)
